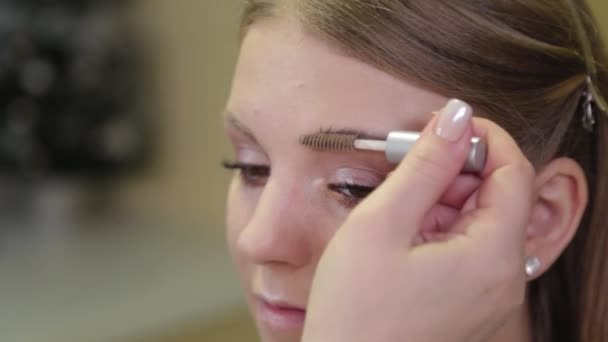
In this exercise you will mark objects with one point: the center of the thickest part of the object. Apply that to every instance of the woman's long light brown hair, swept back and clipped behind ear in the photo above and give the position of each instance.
(520, 63)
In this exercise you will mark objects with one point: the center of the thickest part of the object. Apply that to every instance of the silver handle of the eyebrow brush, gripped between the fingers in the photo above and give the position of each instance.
(399, 143)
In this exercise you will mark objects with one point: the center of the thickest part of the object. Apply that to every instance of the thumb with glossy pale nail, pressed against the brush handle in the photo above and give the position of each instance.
(424, 175)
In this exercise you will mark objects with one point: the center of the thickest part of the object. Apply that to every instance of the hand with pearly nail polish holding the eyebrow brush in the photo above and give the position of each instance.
(374, 282)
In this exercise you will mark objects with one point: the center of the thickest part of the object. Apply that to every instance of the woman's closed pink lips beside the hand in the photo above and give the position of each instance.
(280, 315)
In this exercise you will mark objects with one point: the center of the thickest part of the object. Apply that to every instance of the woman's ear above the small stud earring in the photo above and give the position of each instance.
(561, 198)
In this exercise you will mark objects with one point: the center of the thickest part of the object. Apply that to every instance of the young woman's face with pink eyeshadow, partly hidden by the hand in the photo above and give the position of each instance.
(287, 201)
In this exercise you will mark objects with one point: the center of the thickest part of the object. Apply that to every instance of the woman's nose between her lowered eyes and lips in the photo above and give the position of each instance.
(277, 232)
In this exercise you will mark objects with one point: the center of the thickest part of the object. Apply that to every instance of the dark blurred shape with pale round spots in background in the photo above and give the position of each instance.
(70, 89)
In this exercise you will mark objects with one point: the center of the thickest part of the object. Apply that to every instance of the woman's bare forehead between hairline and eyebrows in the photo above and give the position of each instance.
(289, 76)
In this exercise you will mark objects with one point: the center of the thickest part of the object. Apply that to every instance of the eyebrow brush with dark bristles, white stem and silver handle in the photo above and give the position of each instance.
(395, 147)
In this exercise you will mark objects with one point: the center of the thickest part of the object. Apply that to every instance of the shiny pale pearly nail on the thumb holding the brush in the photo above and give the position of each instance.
(453, 120)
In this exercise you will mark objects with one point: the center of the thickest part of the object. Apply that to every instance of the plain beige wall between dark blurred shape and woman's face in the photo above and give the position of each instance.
(195, 50)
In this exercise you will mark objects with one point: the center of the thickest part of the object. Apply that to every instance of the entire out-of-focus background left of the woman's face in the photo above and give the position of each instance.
(111, 194)
